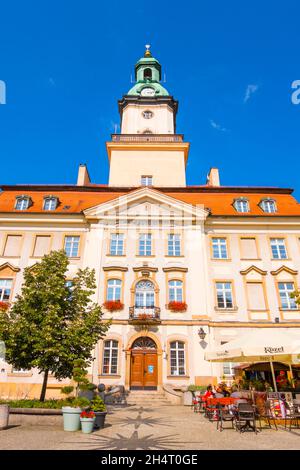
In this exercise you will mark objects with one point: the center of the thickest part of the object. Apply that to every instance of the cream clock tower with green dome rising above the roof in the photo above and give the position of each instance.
(148, 150)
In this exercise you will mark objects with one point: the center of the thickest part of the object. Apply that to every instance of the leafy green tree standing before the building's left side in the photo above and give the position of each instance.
(51, 325)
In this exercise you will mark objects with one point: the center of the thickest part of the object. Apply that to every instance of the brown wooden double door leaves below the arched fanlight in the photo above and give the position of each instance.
(143, 370)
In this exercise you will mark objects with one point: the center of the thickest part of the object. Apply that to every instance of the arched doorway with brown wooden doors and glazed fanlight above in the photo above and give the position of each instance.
(143, 370)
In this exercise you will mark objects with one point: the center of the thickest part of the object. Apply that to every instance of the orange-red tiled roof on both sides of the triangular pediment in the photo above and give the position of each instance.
(74, 199)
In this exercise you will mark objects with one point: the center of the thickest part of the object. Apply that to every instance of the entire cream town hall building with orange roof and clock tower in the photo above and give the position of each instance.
(180, 269)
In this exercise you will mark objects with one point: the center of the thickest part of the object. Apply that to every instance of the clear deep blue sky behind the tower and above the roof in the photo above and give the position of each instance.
(230, 64)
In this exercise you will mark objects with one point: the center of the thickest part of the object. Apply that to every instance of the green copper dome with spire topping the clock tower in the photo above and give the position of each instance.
(148, 76)
